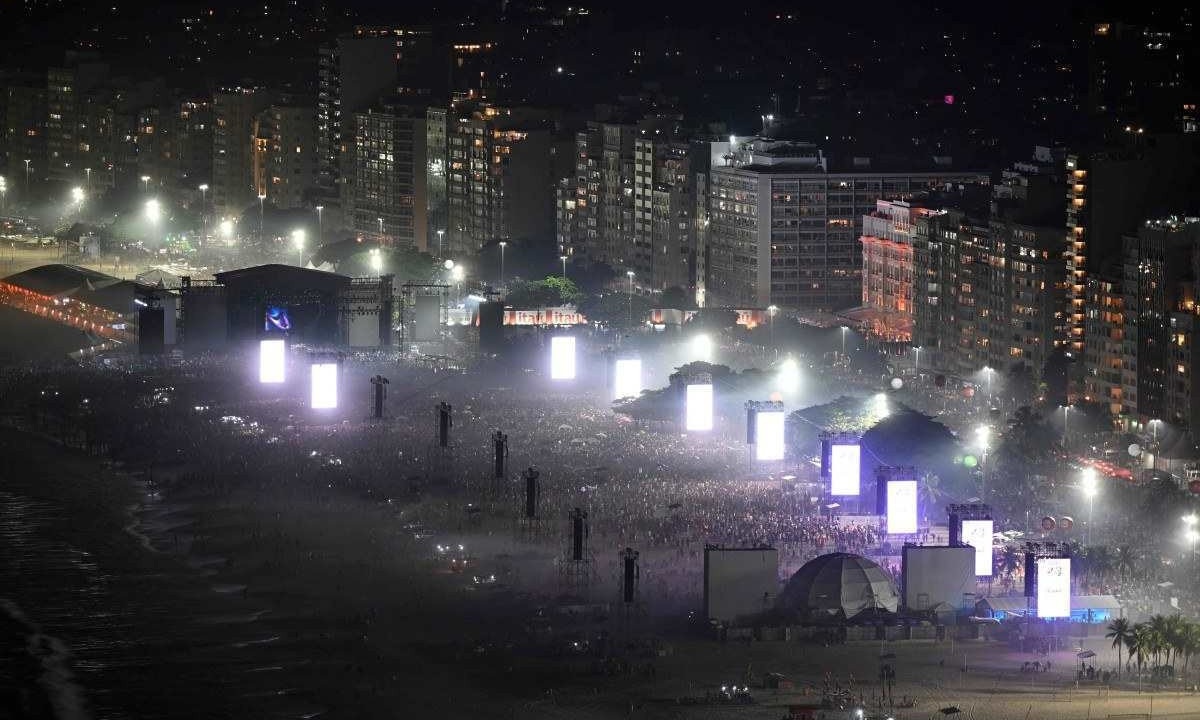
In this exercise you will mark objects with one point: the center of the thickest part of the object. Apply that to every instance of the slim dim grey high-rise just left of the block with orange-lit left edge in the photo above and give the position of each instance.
(235, 111)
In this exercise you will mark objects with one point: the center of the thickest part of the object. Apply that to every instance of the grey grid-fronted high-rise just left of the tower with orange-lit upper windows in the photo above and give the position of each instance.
(391, 176)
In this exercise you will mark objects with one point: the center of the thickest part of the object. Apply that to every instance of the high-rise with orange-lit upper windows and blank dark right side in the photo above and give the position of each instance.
(501, 177)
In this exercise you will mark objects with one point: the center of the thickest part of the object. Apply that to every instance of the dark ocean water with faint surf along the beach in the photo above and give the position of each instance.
(98, 622)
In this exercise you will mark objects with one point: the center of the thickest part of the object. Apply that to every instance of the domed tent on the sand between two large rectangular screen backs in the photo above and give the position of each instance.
(841, 586)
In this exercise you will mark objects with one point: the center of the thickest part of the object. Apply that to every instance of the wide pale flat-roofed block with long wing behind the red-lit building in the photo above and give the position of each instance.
(784, 225)
